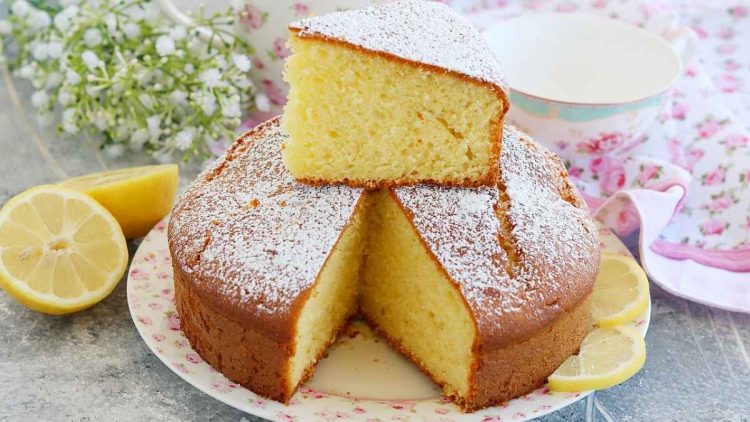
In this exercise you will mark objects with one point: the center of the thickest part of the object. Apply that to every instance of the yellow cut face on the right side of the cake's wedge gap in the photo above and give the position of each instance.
(407, 298)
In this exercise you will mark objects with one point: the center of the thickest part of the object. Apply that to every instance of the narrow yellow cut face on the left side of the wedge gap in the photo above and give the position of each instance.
(332, 300)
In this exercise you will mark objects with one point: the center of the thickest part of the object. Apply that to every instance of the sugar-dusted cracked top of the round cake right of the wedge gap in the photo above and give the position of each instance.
(554, 241)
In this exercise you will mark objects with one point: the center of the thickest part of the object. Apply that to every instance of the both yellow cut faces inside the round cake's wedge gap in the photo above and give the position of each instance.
(398, 289)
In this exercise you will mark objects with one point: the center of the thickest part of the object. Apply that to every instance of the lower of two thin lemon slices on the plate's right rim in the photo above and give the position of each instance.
(608, 356)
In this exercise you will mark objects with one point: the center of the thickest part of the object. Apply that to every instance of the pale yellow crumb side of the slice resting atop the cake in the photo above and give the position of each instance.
(444, 134)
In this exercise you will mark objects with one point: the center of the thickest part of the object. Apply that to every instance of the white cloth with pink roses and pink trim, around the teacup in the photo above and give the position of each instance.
(686, 184)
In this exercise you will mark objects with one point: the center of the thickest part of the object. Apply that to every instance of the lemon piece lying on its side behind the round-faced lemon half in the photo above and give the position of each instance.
(138, 197)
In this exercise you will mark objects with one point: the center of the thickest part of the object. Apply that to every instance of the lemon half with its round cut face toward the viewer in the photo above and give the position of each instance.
(60, 251)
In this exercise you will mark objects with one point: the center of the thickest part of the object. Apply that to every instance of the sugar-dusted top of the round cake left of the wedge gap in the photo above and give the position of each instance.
(250, 234)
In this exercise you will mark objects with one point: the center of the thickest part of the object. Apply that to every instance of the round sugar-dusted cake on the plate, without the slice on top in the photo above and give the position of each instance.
(486, 289)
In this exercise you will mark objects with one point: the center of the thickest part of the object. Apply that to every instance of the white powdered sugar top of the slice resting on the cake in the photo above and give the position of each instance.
(415, 30)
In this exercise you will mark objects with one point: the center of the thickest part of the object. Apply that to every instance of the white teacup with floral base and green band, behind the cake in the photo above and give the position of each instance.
(575, 77)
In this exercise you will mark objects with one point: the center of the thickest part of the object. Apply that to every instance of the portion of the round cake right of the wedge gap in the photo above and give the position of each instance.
(487, 290)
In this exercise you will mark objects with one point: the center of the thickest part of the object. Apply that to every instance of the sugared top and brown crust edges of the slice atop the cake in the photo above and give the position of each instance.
(465, 56)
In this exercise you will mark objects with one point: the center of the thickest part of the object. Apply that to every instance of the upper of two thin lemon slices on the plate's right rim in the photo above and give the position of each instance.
(620, 292)
